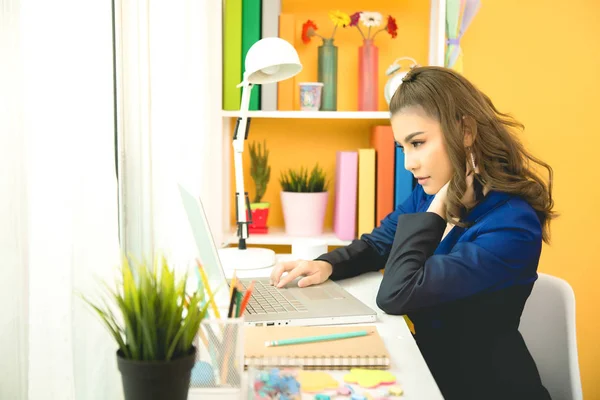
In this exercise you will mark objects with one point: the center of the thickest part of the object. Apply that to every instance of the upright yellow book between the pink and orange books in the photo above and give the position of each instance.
(366, 191)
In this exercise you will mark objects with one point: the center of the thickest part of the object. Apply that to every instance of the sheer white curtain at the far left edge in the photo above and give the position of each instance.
(59, 208)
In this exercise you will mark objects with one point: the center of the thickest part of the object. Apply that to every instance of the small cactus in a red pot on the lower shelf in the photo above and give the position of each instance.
(260, 171)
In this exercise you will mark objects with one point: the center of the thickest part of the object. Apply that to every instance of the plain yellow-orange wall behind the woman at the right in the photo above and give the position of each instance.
(540, 60)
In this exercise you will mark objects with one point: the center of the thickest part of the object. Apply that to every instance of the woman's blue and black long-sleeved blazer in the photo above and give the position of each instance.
(465, 293)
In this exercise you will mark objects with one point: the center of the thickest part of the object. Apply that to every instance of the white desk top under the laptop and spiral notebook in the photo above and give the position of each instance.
(408, 364)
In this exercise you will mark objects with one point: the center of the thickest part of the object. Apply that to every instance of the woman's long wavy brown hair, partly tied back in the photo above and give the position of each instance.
(503, 162)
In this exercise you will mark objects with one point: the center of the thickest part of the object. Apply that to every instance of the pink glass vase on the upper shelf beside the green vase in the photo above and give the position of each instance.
(368, 80)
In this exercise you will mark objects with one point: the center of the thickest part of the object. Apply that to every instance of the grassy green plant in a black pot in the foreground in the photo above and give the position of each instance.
(154, 322)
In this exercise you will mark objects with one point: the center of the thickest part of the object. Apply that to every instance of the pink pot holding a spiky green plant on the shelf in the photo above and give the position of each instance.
(304, 213)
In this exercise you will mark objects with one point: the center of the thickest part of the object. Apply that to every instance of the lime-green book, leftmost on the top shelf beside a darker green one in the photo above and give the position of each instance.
(232, 54)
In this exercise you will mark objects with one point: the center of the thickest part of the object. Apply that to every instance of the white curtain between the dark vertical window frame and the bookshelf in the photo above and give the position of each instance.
(170, 120)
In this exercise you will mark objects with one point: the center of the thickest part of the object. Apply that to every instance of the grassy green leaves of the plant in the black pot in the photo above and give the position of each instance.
(154, 318)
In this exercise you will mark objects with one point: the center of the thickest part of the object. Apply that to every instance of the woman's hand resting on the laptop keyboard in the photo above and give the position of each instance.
(314, 272)
